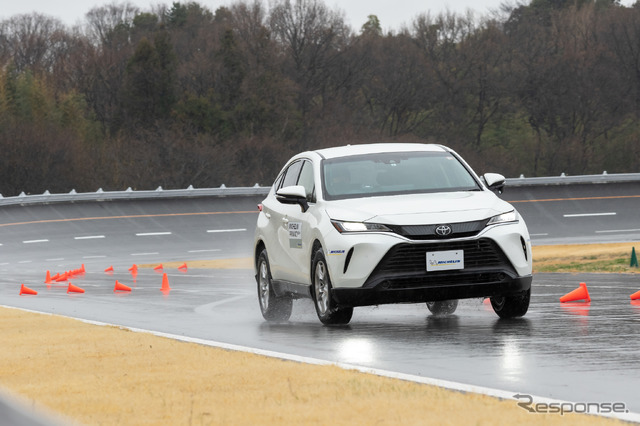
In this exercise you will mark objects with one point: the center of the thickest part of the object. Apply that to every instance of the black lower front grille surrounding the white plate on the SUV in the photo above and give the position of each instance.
(405, 265)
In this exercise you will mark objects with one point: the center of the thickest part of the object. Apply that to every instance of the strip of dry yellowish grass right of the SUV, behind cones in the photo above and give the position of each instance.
(585, 258)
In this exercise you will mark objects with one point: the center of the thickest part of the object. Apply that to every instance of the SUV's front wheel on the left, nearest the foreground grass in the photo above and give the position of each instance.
(326, 308)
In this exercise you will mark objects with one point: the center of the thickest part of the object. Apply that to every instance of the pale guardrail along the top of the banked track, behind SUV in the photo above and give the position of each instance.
(223, 191)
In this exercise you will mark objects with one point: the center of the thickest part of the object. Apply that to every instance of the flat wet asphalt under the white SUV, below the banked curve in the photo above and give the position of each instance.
(576, 352)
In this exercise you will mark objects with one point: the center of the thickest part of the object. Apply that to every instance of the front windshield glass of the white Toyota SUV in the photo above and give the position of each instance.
(394, 173)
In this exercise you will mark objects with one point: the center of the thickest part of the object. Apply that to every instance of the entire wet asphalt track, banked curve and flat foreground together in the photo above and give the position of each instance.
(581, 353)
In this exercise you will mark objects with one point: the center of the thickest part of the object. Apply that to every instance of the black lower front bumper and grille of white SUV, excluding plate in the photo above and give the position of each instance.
(401, 275)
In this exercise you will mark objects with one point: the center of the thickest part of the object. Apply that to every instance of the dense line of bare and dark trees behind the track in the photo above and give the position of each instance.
(181, 95)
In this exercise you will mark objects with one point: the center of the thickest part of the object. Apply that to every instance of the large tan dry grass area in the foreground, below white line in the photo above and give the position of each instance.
(104, 375)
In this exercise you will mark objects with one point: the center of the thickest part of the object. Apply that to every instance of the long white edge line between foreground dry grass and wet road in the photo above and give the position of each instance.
(456, 386)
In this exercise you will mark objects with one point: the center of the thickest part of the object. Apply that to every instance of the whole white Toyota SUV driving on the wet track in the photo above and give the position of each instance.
(388, 223)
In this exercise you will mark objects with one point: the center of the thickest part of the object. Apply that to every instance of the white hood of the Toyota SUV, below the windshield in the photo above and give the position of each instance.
(415, 209)
